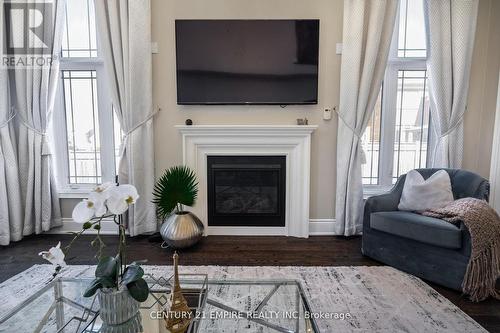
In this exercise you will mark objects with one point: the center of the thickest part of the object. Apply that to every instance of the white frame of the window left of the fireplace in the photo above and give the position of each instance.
(106, 126)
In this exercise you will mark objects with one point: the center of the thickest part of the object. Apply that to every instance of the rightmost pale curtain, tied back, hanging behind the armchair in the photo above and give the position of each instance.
(450, 39)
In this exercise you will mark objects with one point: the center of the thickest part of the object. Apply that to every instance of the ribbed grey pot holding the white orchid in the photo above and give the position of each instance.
(119, 312)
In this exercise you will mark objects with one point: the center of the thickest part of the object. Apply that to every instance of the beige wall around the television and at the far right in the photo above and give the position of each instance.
(478, 121)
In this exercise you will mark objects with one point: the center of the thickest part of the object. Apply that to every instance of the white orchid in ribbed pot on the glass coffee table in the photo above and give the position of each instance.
(119, 287)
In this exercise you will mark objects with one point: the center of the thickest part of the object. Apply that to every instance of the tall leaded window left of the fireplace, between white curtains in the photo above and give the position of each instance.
(84, 120)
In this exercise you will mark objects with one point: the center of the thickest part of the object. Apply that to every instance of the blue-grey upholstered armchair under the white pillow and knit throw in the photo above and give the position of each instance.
(429, 248)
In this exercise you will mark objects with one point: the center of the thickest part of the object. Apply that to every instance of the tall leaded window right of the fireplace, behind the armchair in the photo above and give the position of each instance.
(397, 135)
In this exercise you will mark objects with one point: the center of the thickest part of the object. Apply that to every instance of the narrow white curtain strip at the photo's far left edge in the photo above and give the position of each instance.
(11, 223)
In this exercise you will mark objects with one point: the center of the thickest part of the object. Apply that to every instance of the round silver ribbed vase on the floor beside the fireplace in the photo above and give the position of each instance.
(182, 230)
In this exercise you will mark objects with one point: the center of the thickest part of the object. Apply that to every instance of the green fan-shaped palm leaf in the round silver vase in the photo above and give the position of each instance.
(176, 187)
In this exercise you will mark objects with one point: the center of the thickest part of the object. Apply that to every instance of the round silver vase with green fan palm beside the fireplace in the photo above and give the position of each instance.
(177, 188)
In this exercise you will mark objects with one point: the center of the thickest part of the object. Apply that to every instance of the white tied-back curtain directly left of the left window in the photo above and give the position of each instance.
(33, 93)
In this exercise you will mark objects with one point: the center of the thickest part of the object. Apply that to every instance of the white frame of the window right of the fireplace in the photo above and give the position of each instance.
(389, 113)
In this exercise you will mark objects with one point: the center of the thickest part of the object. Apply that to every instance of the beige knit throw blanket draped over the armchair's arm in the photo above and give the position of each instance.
(483, 224)
